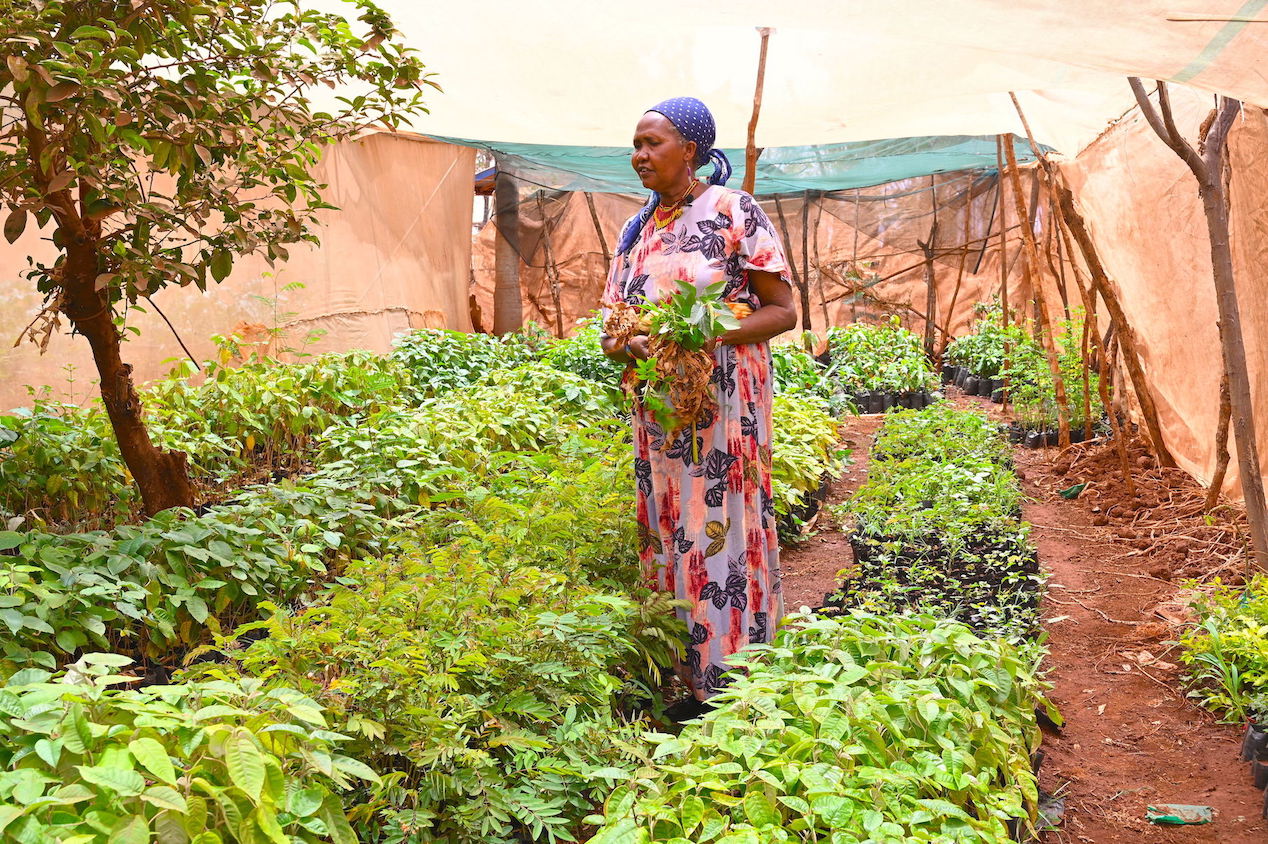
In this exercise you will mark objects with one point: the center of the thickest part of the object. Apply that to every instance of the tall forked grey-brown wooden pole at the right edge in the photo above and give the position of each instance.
(1208, 168)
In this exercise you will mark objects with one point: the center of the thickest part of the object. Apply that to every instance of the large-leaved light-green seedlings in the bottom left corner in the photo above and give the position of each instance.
(200, 762)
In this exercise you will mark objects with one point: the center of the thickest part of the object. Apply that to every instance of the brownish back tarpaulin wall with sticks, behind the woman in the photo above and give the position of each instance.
(863, 252)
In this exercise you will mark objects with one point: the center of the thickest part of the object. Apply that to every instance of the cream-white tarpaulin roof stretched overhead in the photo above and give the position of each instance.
(556, 73)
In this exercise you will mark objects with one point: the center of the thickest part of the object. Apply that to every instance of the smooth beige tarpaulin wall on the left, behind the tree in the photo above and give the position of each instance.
(396, 257)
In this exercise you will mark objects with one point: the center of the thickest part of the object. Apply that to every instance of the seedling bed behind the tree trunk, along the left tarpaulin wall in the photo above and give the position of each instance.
(60, 466)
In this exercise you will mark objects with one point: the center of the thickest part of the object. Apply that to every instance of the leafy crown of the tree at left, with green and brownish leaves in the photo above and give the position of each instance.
(102, 91)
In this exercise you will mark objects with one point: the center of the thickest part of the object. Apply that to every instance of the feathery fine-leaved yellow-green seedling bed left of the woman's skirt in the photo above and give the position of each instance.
(485, 685)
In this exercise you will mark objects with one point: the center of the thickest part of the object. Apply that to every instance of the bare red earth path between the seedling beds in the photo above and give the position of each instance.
(1132, 738)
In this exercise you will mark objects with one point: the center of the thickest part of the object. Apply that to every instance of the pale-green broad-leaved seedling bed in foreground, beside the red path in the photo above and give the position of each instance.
(854, 729)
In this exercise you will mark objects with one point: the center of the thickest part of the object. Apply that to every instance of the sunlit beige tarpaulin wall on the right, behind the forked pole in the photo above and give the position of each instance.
(1147, 220)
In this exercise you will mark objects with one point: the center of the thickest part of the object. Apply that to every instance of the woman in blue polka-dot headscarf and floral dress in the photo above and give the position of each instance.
(706, 513)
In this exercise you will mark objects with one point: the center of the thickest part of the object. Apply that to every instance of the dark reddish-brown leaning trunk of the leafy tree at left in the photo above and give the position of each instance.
(162, 477)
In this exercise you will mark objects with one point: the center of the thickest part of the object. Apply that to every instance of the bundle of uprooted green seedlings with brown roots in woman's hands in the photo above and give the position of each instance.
(674, 383)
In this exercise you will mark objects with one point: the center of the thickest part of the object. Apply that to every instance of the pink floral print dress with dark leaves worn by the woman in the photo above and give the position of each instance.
(706, 514)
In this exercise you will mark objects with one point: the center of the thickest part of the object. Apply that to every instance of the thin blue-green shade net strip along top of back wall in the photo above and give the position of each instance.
(780, 170)
